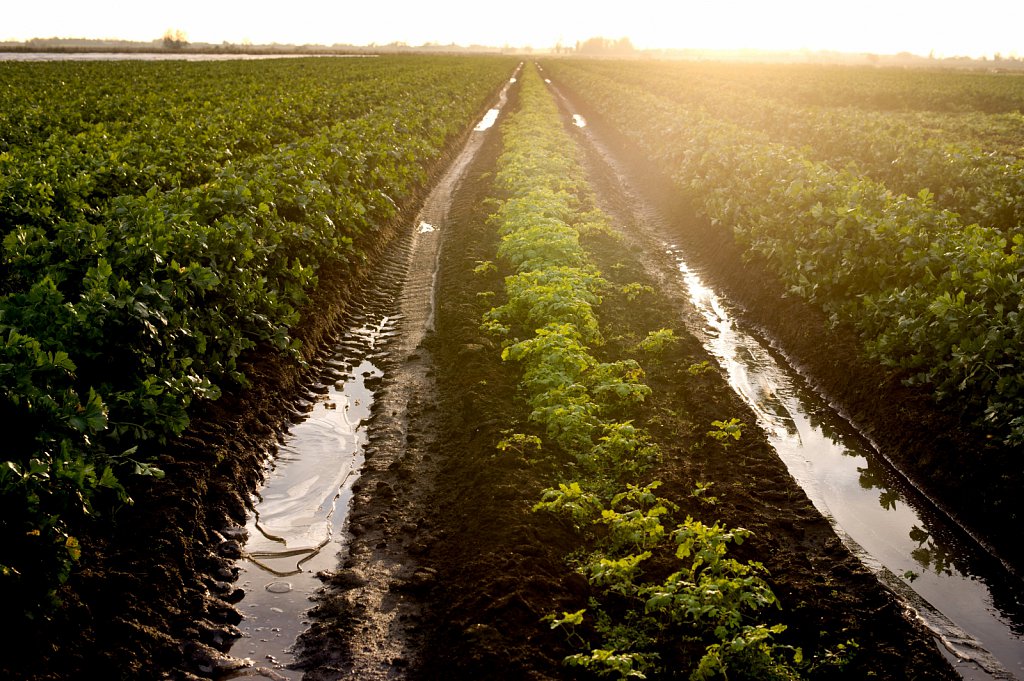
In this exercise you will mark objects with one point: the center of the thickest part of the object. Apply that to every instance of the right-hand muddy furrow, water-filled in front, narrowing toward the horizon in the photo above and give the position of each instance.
(951, 583)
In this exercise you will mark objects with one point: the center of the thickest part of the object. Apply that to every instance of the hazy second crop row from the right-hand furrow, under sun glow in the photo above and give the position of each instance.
(906, 153)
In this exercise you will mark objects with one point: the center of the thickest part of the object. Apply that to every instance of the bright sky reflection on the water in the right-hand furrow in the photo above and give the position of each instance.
(857, 494)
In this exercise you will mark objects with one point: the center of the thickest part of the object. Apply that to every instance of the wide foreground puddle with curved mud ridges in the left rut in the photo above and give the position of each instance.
(295, 530)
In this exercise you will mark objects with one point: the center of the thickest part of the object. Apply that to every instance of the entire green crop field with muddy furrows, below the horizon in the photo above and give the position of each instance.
(559, 481)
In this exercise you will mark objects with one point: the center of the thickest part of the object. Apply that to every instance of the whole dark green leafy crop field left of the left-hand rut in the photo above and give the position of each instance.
(124, 304)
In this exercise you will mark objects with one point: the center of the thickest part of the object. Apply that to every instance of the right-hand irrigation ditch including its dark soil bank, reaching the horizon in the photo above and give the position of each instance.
(948, 578)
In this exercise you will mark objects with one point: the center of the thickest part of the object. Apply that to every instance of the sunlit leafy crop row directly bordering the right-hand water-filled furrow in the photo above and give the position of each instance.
(940, 300)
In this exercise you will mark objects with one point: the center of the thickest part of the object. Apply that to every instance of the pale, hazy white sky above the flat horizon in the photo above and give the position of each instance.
(970, 28)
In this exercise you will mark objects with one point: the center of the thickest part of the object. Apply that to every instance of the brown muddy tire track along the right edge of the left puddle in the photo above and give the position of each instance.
(366, 622)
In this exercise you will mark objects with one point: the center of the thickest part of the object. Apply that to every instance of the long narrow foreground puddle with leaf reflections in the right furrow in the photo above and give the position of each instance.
(965, 597)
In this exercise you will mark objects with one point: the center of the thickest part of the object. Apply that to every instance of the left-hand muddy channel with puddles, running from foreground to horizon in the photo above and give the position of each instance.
(297, 527)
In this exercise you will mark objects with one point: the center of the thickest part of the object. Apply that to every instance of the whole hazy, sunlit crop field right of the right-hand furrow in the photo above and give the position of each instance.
(906, 226)
